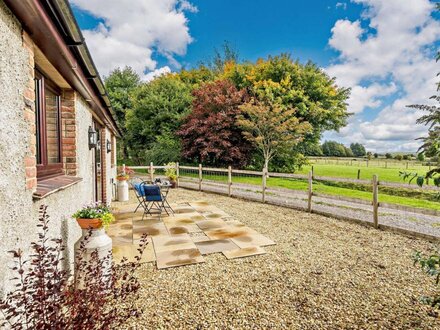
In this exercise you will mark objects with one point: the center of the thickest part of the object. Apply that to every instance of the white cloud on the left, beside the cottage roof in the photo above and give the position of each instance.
(131, 30)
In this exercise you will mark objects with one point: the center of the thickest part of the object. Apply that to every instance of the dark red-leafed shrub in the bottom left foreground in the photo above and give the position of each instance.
(46, 296)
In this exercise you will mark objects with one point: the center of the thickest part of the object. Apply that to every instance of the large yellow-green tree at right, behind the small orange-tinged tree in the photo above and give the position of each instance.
(292, 85)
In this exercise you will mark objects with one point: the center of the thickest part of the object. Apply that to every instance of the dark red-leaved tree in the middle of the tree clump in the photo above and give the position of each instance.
(209, 133)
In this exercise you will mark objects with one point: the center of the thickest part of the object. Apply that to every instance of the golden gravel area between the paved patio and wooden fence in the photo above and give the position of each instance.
(322, 274)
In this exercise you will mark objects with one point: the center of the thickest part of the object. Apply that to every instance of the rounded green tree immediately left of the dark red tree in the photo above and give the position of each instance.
(158, 110)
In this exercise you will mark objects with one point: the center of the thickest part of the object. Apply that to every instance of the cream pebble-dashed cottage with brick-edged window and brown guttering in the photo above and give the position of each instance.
(57, 131)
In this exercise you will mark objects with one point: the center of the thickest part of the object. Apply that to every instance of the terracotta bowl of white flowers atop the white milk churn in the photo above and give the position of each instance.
(94, 216)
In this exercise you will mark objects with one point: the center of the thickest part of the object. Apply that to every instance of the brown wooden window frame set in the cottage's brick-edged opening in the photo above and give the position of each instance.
(44, 169)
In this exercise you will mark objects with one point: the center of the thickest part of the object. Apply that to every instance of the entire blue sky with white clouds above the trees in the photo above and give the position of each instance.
(382, 49)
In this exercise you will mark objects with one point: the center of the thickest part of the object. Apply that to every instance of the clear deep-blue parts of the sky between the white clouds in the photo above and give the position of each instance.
(256, 28)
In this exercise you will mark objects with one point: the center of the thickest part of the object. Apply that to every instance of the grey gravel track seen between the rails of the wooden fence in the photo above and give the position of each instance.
(416, 222)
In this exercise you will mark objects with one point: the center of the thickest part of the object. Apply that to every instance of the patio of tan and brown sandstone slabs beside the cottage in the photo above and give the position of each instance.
(196, 229)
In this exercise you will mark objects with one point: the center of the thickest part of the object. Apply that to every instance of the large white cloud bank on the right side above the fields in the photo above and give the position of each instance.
(388, 52)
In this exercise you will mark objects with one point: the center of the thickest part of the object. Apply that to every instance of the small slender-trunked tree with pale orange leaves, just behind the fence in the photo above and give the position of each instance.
(273, 129)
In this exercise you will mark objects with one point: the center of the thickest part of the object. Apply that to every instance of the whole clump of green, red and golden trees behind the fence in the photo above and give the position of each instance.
(267, 113)
